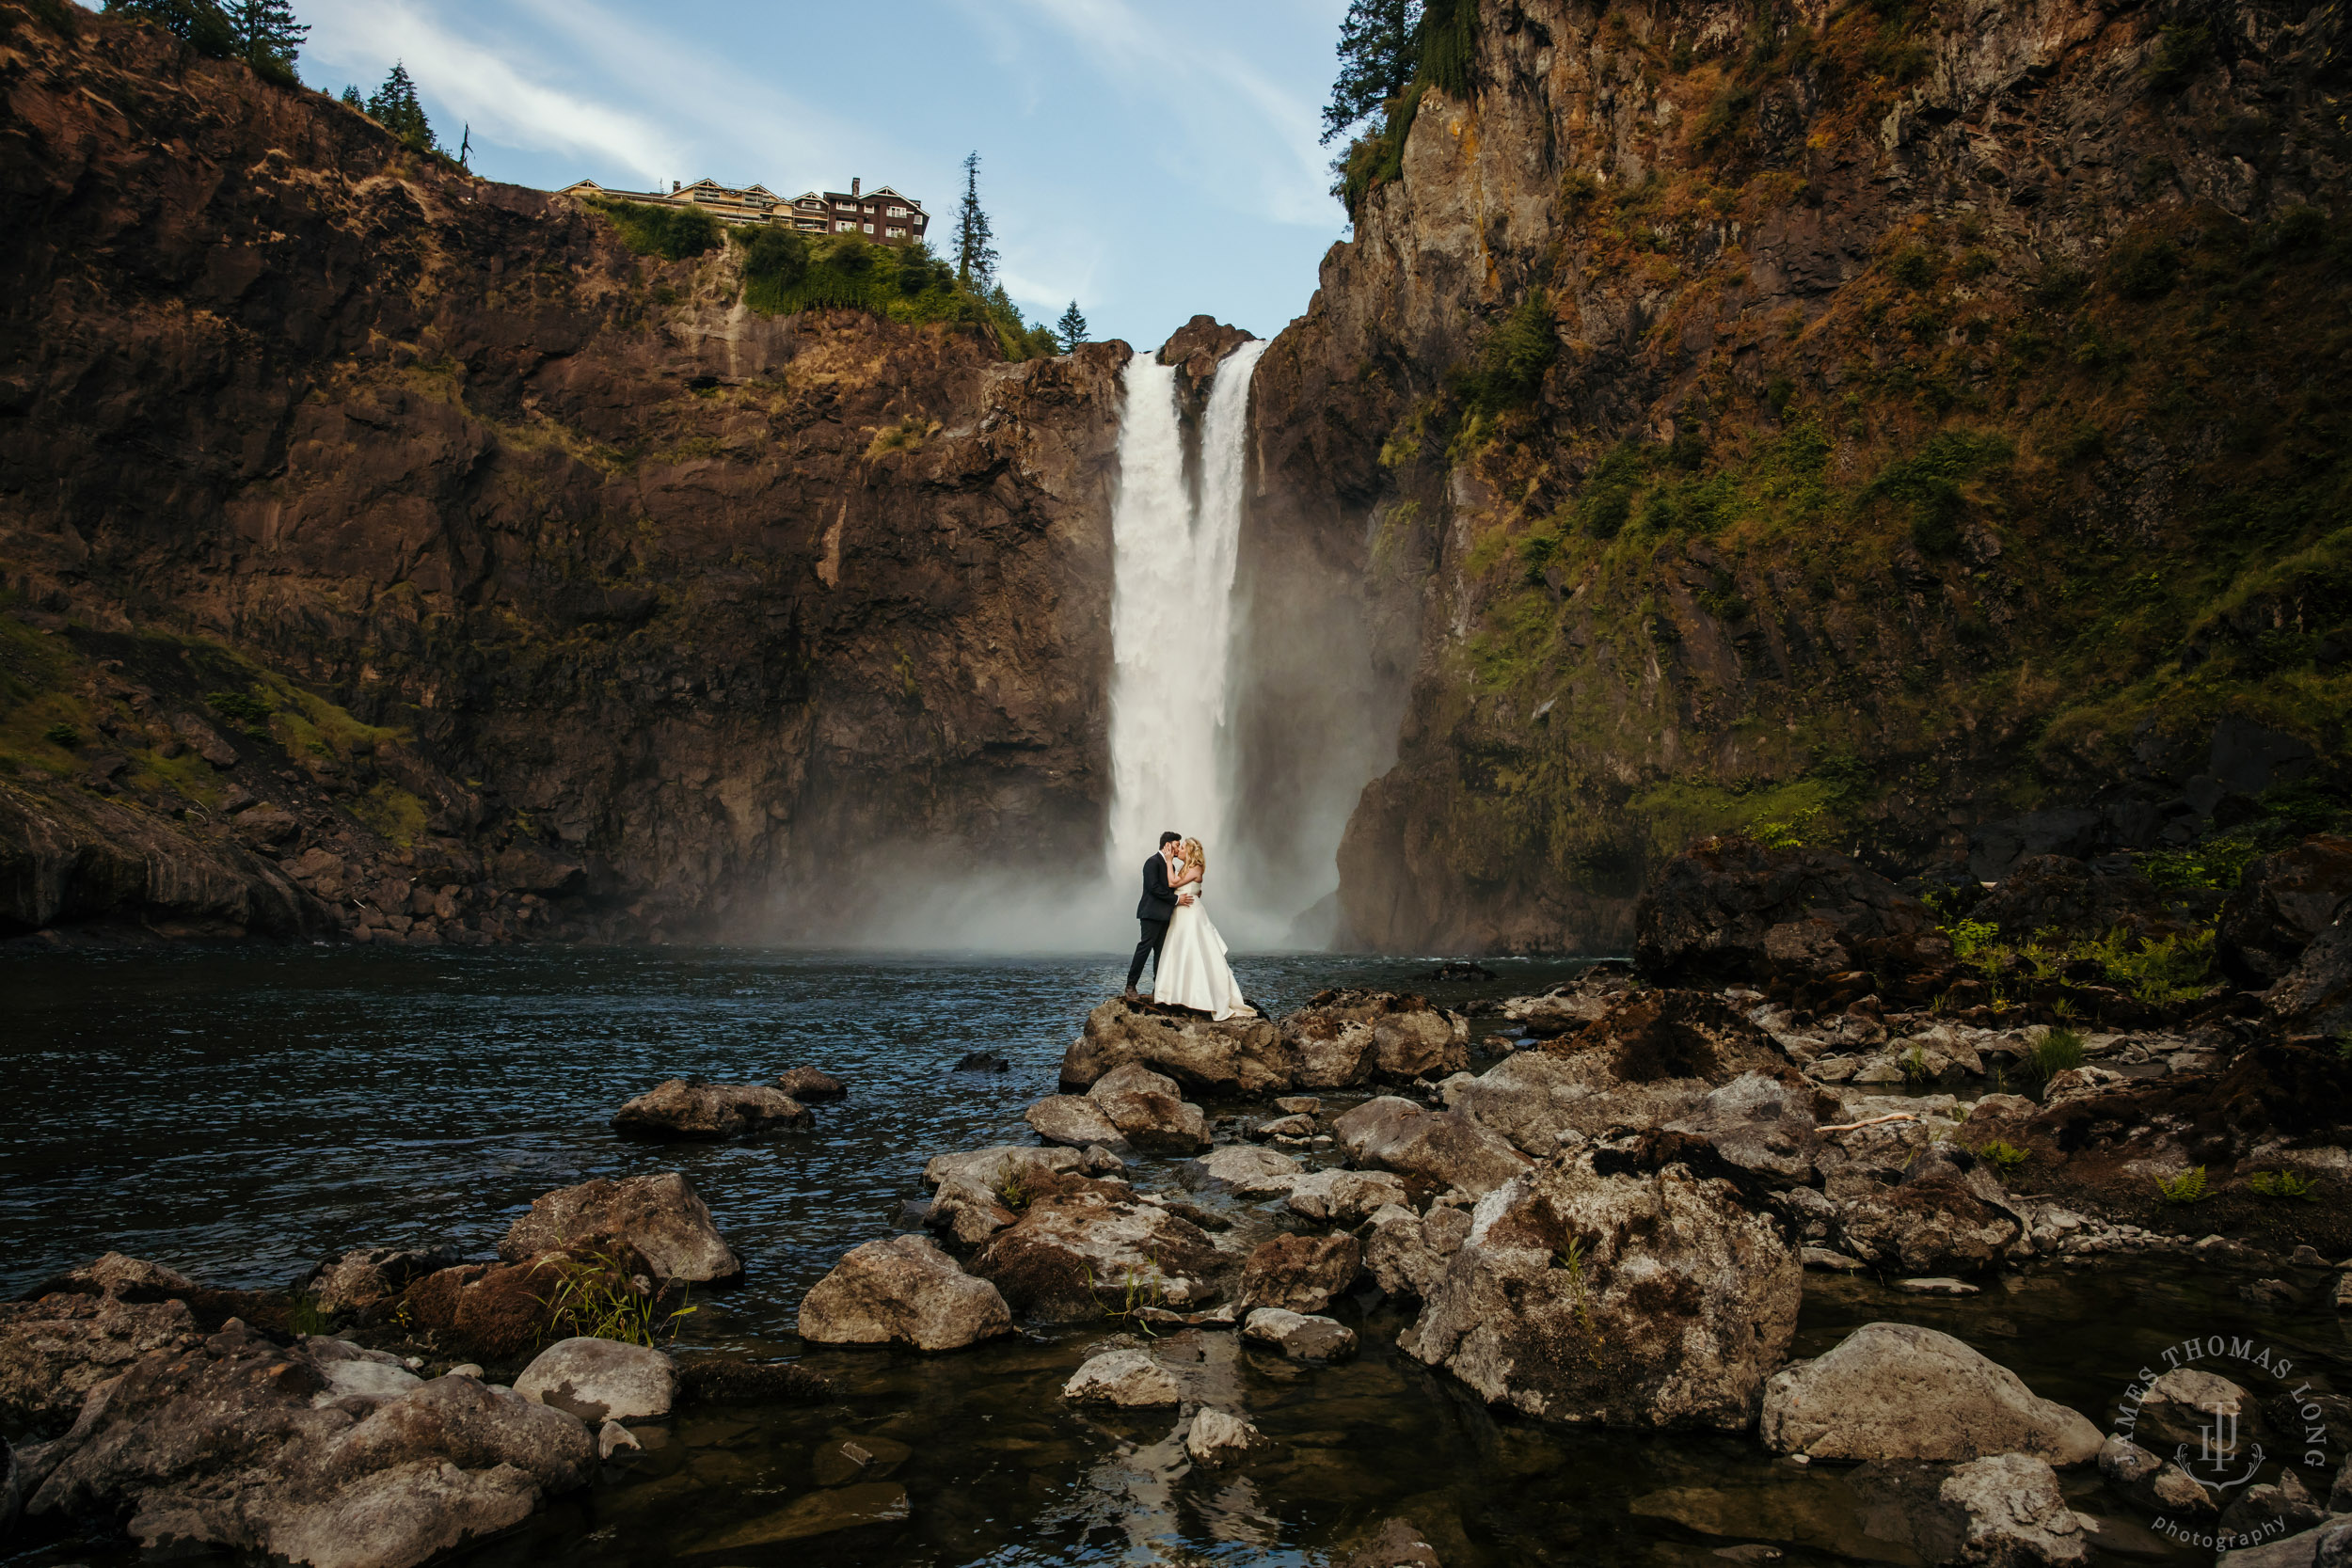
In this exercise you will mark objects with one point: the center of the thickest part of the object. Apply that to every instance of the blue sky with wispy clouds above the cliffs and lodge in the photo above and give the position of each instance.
(1147, 159)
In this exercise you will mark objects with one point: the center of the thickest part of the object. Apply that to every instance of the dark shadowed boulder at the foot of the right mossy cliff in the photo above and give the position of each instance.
(1730, 911)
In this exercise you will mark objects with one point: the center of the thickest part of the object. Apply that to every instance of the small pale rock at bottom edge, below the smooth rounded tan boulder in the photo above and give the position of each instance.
(1996, 1513)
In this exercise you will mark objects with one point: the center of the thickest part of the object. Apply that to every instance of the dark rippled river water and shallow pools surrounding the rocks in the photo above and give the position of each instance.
(241, 1115)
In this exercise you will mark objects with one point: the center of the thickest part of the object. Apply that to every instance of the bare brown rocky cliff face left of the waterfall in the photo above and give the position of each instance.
(394, 549)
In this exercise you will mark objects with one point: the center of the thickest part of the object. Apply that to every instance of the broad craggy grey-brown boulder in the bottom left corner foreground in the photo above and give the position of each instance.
(243, 1445)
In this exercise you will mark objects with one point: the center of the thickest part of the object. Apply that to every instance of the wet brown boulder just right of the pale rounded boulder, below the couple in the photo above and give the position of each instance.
(1083, 1247)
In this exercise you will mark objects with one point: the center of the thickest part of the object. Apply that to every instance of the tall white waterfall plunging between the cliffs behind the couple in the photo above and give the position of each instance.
(1172, 615)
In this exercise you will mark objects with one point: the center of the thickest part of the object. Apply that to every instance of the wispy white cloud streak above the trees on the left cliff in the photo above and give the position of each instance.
(483, 88)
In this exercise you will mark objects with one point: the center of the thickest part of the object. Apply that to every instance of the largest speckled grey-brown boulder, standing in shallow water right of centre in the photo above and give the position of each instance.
(1636, 1299)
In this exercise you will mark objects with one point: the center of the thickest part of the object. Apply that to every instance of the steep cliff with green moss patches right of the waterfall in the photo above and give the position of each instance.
(1916, 429)
